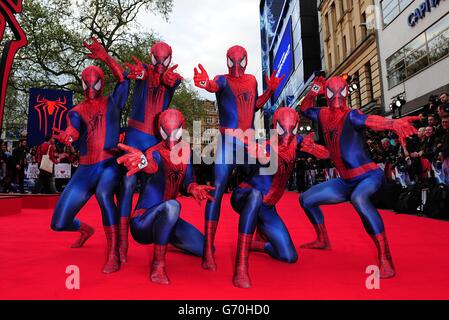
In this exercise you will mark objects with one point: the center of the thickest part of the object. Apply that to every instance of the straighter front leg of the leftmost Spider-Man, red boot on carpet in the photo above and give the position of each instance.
(105, 193)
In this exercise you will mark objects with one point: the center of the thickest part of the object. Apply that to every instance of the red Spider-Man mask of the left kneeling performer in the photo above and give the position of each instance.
(171, 124)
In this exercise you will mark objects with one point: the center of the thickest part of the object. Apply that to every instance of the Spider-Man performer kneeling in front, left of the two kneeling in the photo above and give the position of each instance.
(156, 218)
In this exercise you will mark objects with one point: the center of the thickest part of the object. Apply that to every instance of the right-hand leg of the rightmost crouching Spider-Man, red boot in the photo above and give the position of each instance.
(372, 221)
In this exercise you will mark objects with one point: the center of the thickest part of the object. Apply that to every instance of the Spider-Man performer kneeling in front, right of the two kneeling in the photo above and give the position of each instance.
(255, 199)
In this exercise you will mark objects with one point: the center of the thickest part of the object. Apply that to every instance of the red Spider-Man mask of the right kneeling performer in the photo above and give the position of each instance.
(286, 123)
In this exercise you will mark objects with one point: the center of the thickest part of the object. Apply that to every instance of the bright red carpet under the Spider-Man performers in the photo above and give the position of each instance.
(33, 260)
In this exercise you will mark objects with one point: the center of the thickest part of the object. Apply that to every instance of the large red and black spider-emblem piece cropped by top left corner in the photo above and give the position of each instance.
(7, 19)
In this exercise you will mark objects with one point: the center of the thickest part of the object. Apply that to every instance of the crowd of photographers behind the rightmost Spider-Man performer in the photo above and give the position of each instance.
(425, 159)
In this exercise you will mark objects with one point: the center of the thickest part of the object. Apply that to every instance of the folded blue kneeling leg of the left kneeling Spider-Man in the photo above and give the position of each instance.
(187, 238)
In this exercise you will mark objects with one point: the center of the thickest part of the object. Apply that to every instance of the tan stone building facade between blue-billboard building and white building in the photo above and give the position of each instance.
(349, 46)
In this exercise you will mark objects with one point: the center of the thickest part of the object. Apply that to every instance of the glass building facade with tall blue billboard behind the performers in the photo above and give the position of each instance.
(290, 46)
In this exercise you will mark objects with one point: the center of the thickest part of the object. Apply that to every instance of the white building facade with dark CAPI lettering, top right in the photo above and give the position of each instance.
(414, 51)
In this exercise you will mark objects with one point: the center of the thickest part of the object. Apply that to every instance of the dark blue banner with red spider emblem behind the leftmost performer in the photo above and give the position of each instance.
(47, 111)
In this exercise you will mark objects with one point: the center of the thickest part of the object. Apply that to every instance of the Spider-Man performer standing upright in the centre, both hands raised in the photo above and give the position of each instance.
(238, 101)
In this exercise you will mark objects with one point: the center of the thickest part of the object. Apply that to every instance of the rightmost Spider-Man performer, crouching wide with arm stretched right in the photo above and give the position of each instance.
(360, 177)
